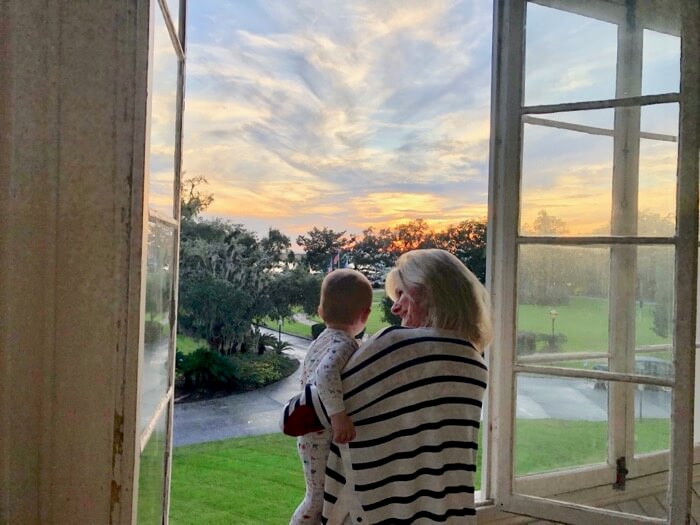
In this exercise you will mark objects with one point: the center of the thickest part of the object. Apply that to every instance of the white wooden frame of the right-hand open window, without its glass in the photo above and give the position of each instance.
(499, 485)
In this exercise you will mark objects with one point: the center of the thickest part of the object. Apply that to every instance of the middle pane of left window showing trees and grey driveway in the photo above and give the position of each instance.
(157, 322)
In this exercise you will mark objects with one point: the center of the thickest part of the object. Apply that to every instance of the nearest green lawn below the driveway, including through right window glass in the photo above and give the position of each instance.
(258, 480)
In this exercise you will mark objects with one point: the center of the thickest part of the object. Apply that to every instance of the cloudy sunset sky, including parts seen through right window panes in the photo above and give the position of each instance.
(346, 114)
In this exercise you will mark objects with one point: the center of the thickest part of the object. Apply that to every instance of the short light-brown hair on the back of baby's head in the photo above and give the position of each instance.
(345, 295)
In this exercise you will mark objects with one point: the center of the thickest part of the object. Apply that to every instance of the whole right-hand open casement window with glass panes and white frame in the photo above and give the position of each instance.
(593, 269)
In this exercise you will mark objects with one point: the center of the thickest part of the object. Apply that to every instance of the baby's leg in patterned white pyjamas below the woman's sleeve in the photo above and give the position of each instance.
(313, 450)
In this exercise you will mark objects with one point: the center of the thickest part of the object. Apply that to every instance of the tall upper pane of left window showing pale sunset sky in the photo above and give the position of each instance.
(163, 117)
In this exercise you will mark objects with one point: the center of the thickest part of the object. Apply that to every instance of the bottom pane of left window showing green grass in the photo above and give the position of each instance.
(152, 476)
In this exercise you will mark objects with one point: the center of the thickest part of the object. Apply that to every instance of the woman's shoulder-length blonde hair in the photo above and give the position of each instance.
(453, 297)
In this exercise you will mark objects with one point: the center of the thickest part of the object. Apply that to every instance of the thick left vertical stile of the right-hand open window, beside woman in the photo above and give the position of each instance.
(504, 204)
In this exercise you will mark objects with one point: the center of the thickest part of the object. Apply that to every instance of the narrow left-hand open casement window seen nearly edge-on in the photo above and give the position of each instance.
(160, 261)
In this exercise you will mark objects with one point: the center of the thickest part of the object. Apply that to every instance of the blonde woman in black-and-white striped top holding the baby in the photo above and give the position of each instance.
(414, 394)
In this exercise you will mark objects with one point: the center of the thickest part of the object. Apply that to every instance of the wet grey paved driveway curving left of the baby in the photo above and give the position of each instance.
(249, 413)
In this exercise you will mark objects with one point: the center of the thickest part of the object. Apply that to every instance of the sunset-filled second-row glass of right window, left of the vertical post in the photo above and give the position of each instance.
(567, 177)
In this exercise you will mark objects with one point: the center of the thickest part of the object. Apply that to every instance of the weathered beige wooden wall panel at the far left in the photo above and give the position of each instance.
(72, 95)
